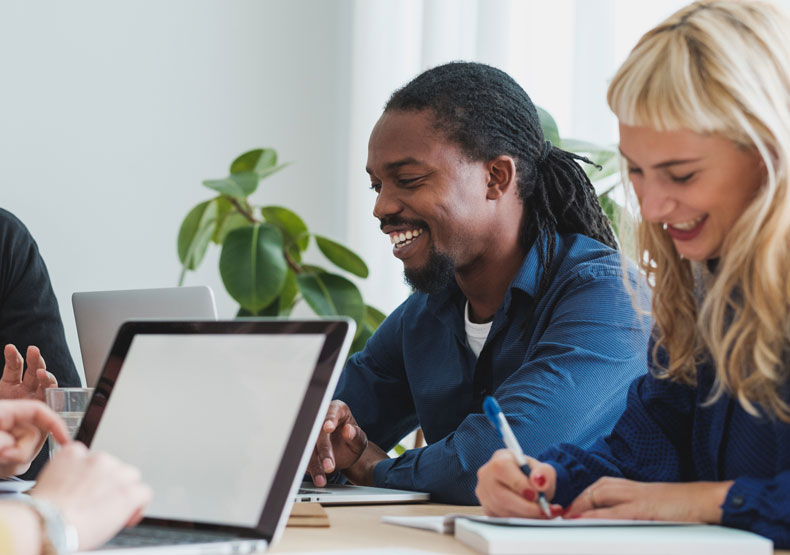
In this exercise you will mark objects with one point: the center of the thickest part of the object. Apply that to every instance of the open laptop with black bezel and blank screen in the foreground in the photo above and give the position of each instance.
(220, 418)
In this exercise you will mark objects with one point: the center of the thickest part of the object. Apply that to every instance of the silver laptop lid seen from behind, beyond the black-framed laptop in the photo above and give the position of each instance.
(99, 314)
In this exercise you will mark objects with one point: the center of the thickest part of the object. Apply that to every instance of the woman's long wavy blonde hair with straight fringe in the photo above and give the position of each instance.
(721, 67)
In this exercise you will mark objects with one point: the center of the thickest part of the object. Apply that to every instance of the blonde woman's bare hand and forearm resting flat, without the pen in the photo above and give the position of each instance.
(626, 499)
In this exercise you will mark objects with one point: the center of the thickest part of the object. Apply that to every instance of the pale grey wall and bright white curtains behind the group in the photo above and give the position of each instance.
(112, 113)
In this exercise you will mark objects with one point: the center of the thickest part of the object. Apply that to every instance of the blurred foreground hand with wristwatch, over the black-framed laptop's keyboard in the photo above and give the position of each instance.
(96, 493)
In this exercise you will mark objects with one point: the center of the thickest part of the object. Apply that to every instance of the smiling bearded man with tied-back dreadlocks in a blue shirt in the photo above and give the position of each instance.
(519, 293)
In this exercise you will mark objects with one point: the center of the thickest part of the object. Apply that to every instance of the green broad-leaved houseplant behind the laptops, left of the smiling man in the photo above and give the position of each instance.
(261, 262)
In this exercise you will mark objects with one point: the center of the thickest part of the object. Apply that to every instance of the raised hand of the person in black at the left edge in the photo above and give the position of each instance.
(36, 380)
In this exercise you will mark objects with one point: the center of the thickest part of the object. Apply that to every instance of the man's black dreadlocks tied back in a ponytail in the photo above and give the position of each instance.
(486, 113)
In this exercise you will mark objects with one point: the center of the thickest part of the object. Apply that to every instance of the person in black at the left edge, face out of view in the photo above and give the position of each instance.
(29, 318)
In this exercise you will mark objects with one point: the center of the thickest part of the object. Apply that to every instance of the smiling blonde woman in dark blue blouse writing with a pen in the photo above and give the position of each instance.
(703, 102)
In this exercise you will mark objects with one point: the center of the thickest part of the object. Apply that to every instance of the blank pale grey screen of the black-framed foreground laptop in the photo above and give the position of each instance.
(206, 419)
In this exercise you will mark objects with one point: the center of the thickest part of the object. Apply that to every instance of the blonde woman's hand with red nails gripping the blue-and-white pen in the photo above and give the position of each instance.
(504, 490)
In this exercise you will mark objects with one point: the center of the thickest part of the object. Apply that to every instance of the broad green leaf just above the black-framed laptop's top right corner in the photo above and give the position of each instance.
(331, 295)
